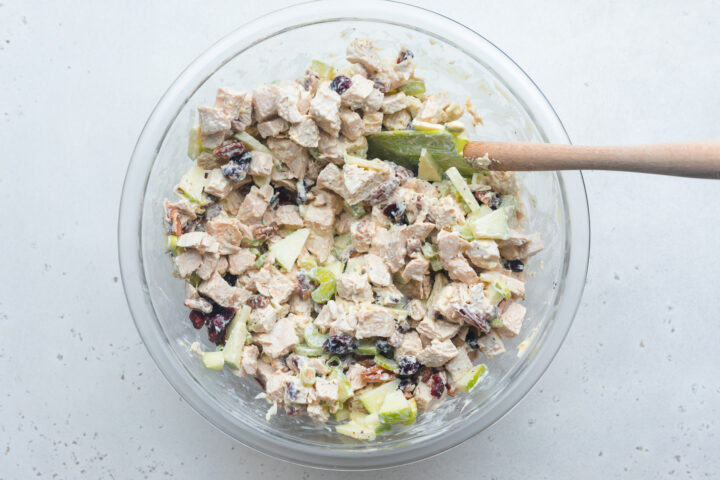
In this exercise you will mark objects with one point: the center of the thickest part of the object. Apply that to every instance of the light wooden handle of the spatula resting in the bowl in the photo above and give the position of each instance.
(691, 159)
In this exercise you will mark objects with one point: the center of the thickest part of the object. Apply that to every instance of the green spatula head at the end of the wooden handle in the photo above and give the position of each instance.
(405, 146)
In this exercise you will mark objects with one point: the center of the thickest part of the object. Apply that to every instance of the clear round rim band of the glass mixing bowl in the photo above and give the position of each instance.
(148, 145)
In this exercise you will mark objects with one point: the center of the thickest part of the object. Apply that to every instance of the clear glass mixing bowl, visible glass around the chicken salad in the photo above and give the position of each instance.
(281, 45)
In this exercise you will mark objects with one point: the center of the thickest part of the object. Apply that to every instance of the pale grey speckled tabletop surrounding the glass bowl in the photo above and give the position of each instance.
(634, 391)
